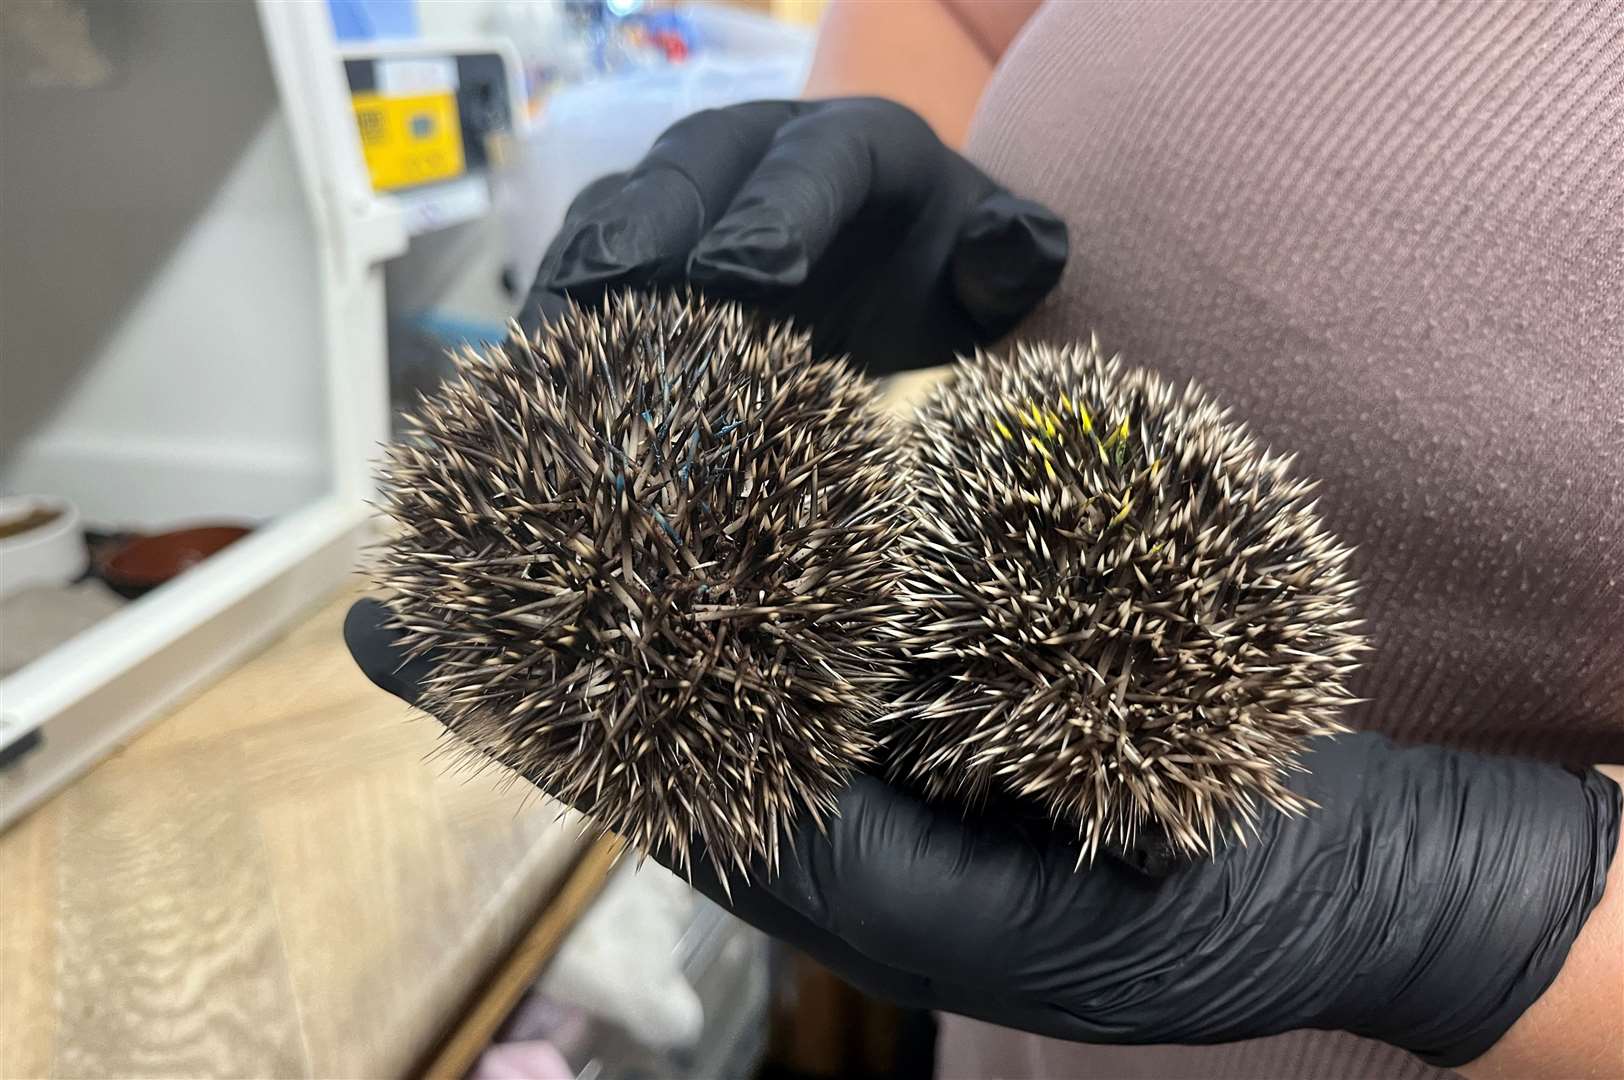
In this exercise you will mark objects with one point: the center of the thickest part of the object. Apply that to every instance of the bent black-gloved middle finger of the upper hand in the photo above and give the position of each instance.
(821, 171)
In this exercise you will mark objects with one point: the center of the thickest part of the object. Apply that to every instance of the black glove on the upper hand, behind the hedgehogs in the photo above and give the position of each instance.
(845, 215)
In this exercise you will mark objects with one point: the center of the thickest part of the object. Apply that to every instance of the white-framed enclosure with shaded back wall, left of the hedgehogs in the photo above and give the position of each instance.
(192, 327)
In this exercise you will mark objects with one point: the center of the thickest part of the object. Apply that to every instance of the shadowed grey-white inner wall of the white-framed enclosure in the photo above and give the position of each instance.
(160, 340)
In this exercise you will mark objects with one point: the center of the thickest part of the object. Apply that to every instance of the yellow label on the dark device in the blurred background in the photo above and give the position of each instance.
(408, 140)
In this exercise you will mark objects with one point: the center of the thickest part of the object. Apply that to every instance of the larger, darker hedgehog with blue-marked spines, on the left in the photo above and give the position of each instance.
(650, 551)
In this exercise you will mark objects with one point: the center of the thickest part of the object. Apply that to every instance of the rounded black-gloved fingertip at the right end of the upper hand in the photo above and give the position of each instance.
(1008, 257)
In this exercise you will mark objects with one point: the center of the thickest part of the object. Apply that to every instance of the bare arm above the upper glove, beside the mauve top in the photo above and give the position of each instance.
(933, 56)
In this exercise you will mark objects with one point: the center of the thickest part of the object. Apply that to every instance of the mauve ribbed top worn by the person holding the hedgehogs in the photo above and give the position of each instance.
(1391, 236)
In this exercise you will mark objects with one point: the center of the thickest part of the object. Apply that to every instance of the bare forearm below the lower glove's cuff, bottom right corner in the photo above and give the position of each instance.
(1576, 1029)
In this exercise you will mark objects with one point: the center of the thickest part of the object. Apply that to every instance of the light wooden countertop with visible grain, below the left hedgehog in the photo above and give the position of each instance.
(275, 881)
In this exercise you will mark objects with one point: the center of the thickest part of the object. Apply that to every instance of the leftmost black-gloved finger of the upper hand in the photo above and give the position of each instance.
(644, 231)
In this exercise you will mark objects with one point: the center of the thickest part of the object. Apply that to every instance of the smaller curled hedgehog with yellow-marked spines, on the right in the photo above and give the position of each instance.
(1126, 613)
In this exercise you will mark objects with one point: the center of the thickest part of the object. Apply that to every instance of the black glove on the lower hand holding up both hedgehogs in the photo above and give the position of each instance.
(1428, 902)
